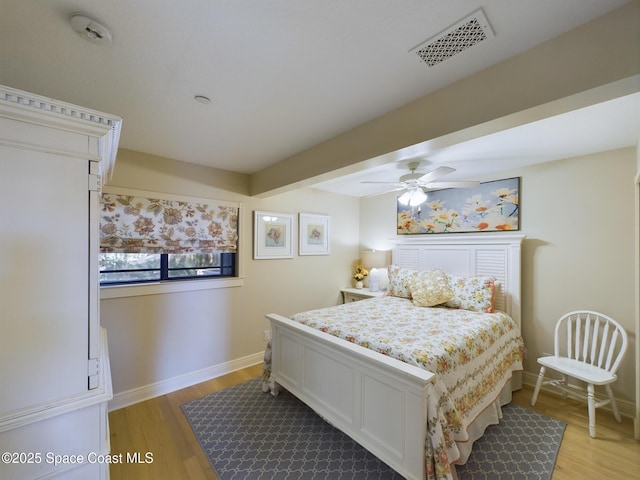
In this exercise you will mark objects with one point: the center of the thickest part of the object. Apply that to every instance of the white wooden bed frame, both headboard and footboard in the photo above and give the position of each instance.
(380, 401)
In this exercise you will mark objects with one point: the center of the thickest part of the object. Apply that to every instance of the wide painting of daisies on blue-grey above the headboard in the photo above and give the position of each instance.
(489, 207)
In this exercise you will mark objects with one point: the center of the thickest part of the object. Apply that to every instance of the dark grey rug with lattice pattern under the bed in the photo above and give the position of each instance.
(250, 435)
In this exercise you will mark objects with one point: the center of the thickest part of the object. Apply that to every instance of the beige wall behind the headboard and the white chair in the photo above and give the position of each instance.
(578, 218)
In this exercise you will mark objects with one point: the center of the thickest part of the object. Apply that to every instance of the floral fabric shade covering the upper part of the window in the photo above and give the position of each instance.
(131, 224)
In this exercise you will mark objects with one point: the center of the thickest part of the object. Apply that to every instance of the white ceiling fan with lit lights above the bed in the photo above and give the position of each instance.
(415, 184)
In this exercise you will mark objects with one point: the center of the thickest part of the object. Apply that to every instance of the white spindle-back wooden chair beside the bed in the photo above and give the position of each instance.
(588, 346)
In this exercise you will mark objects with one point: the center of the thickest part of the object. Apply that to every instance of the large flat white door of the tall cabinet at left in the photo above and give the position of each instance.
(43, 279)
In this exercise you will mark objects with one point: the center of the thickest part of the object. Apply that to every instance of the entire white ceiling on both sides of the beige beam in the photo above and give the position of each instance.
(284, 75)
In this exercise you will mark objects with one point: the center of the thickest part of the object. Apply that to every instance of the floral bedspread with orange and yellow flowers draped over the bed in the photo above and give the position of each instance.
(472, 354)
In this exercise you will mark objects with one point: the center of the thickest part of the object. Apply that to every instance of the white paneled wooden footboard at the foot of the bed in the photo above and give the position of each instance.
(376, 400)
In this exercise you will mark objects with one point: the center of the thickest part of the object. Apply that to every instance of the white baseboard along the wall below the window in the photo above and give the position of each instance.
(146, 392)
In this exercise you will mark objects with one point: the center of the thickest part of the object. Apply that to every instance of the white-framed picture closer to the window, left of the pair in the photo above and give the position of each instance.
(273, 235)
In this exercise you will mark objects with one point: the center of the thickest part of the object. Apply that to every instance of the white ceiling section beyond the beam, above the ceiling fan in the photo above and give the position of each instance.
(598, 128)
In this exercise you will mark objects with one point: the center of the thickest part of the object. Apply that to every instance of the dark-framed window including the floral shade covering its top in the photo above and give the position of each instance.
(148, 239)
